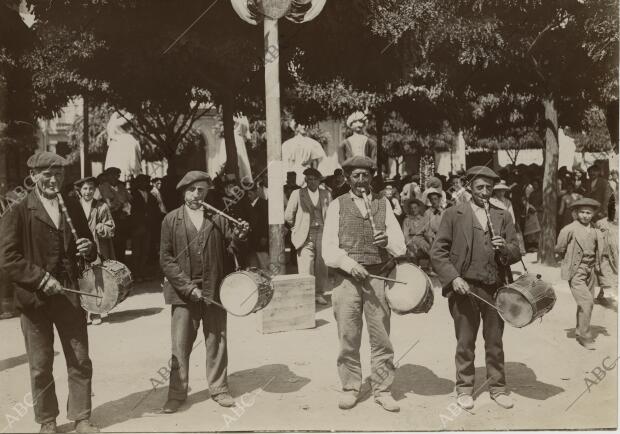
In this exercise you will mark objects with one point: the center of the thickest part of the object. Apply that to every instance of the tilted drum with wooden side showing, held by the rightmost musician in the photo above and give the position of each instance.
(524, 300)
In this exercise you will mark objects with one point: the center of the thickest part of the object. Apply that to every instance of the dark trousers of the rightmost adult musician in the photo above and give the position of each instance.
(466, 312)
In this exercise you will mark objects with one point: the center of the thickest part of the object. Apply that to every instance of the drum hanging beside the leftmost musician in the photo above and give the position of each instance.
(110, 279)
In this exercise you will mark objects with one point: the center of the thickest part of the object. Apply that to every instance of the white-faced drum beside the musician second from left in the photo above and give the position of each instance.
(245, 292)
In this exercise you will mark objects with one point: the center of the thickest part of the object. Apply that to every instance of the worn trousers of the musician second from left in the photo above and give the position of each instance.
(185, 323)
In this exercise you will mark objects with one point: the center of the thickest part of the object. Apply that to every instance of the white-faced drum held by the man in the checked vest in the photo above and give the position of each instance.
(414, 297)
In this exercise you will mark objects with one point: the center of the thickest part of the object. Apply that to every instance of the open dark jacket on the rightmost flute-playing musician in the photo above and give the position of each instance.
(451, 252)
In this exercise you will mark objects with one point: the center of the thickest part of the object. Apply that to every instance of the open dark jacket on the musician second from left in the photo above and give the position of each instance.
(175, 262)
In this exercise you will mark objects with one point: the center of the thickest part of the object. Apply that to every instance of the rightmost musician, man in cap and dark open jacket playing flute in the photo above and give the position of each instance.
(474, 247)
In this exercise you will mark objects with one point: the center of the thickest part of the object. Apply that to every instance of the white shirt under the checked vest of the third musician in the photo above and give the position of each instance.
(336, 257)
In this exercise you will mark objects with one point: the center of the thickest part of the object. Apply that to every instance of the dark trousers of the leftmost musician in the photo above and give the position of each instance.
(37, 326)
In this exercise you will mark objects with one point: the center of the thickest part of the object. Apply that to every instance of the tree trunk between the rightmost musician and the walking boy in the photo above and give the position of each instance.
(549, 186)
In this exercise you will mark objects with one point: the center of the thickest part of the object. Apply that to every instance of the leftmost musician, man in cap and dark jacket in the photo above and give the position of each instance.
(39, 253)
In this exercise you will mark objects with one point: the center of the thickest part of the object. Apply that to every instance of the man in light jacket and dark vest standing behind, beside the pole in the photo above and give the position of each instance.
(305, 213)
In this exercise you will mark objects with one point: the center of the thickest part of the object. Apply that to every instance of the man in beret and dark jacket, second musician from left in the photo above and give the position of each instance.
(196, 254)
